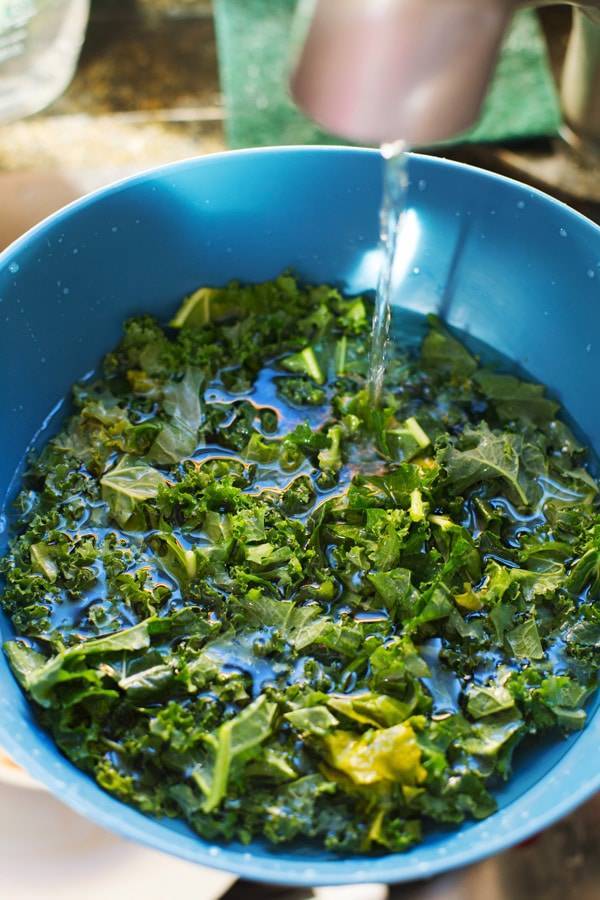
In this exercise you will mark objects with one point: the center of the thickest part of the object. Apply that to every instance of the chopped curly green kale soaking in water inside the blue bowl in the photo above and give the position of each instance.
(245, 597)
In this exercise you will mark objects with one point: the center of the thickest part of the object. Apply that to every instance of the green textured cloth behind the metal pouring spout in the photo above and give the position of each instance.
(253, 40)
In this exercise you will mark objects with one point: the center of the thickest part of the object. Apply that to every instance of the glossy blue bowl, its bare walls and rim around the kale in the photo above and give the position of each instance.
(509, 266)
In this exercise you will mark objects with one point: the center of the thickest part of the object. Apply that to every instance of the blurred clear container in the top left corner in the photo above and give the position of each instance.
(40, 42)
